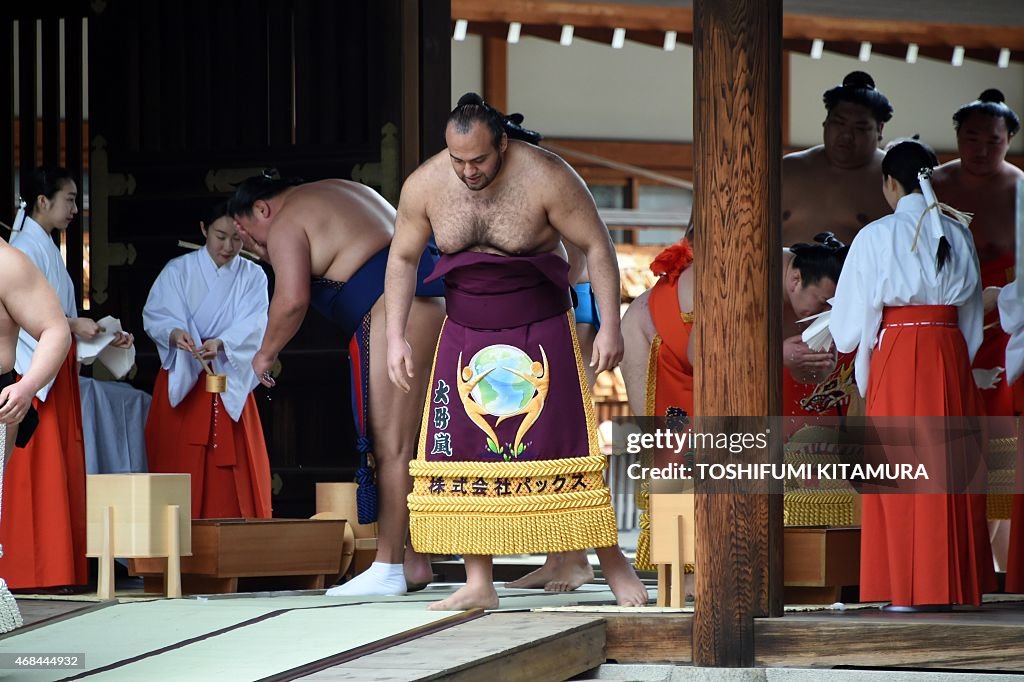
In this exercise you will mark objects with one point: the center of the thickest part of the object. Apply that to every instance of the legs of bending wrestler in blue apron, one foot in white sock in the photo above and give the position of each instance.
(395, 423)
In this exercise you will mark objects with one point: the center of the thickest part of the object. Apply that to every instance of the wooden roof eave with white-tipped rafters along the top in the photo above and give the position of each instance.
(984, 28)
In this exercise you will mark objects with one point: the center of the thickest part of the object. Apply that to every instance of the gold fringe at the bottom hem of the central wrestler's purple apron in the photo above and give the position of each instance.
(562, 531)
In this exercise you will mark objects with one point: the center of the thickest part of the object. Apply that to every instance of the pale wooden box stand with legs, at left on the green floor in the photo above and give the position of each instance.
(136, 517)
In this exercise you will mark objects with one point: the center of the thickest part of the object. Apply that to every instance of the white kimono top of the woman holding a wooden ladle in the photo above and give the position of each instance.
(228, 304)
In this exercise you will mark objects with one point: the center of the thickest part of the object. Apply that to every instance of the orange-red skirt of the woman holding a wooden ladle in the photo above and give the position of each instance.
(228, 460)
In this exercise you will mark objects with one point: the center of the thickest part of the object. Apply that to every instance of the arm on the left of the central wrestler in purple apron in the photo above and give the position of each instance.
(412, 231)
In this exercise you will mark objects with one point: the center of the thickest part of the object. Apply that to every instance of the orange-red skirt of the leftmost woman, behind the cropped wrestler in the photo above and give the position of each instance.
(44, 519)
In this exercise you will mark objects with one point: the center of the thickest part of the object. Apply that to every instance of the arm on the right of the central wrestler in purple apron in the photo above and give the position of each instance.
(573, 214)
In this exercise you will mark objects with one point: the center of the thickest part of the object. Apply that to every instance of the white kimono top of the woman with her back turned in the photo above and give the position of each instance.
(881, 271)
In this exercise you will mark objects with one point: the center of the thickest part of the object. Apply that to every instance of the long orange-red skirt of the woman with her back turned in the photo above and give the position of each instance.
(924, 549)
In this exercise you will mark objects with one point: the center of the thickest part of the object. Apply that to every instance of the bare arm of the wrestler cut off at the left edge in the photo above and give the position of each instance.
(33, 306)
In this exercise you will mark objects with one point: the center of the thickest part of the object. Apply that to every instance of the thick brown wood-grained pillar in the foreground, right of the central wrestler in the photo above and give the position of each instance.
(737, 76)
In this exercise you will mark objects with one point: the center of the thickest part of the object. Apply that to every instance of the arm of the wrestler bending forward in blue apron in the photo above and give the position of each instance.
(289, 248)
